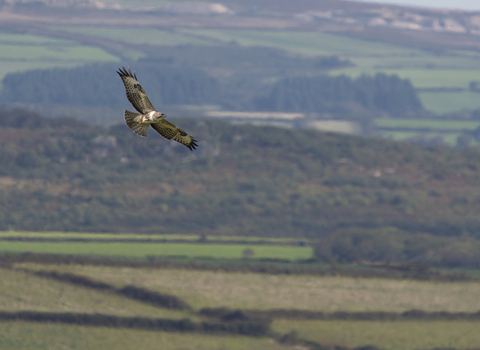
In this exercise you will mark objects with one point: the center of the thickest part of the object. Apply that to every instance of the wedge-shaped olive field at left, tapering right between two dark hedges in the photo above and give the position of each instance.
(21, 291)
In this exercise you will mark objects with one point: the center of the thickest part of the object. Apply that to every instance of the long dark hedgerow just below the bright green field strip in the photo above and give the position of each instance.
(263, 266)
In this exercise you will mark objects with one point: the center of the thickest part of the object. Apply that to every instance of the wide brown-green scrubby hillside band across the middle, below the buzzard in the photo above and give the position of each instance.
(66, 175)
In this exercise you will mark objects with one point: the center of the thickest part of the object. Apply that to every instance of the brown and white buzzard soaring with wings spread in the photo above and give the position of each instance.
(139, 122)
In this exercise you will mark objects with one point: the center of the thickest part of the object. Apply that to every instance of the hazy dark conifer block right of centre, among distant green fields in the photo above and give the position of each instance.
(380, 93)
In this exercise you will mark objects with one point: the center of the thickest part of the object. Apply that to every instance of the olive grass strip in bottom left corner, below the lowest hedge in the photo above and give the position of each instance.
(30, 336)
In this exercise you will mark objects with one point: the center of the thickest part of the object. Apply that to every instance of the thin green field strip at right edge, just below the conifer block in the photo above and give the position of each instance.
(427, 124)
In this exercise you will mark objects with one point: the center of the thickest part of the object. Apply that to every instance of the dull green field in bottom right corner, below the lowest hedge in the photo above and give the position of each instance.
(387, 335)
